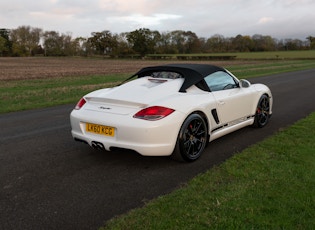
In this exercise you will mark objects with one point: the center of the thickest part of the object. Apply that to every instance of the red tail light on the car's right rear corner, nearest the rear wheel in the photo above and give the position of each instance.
(153, 113)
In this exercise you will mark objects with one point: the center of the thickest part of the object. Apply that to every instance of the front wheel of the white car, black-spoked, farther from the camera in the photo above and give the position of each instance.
(262, 112)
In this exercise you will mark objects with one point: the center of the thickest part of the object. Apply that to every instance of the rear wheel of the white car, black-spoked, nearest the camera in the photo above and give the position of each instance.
(191, 140)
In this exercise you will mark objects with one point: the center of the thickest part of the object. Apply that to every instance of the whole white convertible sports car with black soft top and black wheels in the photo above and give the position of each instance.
(170, 110)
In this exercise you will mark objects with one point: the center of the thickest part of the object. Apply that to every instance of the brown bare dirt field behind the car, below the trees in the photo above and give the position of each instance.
(44, 67)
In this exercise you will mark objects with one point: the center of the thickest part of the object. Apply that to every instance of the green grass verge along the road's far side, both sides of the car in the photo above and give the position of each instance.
(16, 95)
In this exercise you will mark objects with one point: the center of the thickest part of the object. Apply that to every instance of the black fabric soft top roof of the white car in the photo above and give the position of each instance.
(192, 73)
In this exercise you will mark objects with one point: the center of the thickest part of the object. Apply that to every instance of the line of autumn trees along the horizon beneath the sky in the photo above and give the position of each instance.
(32, 41)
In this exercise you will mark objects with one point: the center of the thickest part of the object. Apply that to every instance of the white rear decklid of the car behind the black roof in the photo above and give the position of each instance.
(133, 95)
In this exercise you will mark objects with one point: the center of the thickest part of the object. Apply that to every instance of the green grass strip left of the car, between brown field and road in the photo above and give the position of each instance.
(19, 95)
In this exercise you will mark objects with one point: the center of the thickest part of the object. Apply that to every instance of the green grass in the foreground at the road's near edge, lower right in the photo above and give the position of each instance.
(270, 185)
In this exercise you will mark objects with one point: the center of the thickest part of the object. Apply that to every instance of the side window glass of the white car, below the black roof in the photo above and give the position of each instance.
(220, 81)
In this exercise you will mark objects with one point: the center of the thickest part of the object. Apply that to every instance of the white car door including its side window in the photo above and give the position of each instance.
(233, 102)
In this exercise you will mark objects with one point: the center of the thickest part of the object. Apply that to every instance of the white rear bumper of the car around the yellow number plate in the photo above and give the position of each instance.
(148, 138)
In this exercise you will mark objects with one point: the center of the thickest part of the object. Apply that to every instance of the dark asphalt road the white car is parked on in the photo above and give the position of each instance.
(48, 181)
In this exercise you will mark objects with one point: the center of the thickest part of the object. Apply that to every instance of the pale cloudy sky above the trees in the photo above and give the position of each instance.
(293, 19)
